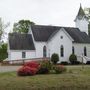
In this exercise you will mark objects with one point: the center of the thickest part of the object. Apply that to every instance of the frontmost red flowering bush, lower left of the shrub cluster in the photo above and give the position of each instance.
(25, 70)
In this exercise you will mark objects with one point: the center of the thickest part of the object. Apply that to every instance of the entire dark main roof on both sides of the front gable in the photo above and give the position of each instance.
(43, 33)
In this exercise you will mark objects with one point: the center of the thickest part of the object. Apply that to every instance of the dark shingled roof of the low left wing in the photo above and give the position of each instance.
(21, 41)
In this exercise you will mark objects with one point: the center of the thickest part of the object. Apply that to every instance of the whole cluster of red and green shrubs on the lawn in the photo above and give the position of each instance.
(43, 67)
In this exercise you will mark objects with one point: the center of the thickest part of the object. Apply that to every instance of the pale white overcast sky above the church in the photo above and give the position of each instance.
(46, 12)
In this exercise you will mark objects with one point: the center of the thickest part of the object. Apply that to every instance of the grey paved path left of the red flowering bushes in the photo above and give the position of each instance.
(9, 68)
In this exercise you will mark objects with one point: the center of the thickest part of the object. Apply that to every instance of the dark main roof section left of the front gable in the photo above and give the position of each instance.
(42, 33)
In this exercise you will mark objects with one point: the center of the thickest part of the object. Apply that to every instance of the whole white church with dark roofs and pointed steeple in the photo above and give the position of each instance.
(42, 41)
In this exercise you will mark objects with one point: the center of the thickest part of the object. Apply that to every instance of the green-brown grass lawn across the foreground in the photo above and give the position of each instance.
(75, 78)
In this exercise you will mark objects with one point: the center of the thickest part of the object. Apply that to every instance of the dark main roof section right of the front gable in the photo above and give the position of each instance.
(77, 35)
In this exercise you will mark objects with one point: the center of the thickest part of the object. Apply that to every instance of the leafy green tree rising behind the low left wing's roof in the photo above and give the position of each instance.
(22, 26)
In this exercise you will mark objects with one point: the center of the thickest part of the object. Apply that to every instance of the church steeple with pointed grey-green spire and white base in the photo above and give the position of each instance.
(81, 20)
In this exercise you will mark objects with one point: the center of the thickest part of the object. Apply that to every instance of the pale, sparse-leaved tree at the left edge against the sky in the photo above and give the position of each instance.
(2, 29)
